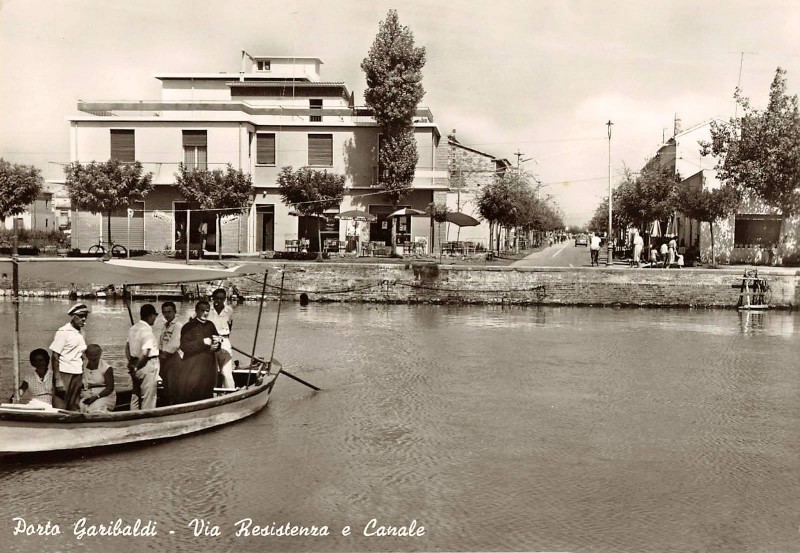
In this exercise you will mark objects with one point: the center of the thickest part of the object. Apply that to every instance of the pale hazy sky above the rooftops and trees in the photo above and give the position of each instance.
(540, 78)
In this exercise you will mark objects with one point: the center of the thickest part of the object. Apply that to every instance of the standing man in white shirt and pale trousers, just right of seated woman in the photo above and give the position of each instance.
(142, 353)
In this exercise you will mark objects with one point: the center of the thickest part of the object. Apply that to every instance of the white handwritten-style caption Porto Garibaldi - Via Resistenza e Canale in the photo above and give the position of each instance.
(84, 528)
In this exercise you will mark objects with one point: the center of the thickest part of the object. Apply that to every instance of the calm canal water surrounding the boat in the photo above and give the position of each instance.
(516, 429)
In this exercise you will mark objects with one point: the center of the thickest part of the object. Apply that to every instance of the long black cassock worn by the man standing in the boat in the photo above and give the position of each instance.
(194, 377)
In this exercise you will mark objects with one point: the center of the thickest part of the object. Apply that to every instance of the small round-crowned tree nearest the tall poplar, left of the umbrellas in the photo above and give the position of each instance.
(311, 192)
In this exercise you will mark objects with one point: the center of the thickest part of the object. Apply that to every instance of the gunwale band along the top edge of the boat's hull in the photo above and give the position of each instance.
(75, 417)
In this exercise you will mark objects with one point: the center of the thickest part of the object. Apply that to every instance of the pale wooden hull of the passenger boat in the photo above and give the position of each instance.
(41, 431)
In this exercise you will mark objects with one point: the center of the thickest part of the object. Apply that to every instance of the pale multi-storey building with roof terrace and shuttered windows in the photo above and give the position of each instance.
(275, 112)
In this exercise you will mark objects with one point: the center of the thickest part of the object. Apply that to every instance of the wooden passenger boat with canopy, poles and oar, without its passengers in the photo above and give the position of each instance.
(29, 430)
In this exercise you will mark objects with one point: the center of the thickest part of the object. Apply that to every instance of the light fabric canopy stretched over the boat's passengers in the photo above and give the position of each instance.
(117, 271)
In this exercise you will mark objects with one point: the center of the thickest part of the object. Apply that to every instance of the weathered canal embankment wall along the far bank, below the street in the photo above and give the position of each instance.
(424, 282)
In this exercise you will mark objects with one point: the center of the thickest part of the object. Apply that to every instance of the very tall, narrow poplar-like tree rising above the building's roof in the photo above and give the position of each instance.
(393, 70)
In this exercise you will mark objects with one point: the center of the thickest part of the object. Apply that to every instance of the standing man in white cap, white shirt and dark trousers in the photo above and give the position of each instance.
(68, 347)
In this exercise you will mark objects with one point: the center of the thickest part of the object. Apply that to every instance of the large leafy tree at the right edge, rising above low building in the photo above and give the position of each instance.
(760, 152)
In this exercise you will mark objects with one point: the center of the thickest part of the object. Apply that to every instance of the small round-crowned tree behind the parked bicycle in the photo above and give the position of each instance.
(106, 186)
